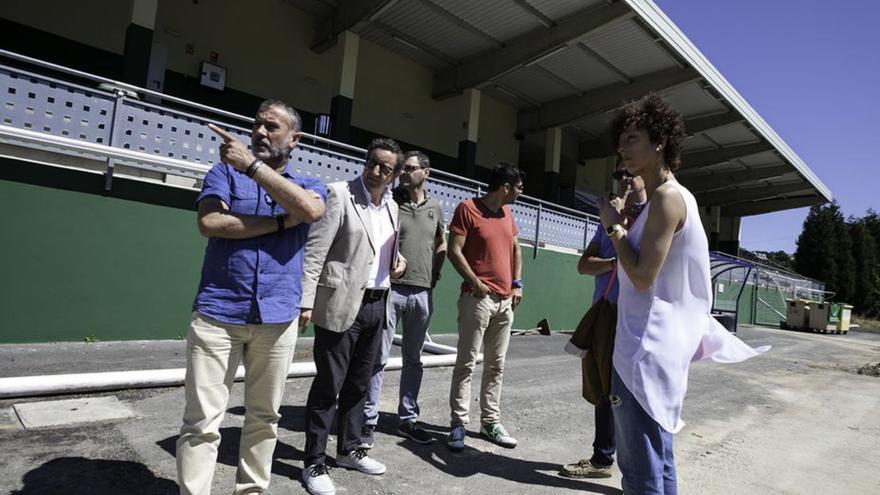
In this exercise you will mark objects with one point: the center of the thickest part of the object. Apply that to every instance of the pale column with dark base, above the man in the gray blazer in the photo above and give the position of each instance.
(341, 104)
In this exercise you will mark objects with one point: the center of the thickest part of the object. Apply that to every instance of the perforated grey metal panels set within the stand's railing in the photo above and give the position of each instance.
(50, 106)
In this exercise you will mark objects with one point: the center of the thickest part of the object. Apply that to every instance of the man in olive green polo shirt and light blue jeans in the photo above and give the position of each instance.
(423, 244)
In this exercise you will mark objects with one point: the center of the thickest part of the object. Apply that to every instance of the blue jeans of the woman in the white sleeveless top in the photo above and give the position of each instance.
(644, 449)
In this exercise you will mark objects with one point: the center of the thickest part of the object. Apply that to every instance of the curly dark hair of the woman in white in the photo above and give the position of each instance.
(655, 115)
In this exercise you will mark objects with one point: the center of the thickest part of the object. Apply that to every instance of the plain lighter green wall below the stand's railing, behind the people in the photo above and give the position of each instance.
(78, 263)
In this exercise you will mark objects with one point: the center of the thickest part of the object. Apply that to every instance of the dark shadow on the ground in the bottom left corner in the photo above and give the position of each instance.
(78, 475)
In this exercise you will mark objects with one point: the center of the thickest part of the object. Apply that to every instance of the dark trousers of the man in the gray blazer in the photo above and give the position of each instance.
(344, 363)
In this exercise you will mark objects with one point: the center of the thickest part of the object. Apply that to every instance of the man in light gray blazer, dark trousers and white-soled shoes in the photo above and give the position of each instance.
(351, 255)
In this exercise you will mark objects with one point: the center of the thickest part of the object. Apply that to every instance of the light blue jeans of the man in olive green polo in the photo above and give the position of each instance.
(415, 306)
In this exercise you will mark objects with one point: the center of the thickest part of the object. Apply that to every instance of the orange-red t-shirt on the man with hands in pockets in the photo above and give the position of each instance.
(488, 245)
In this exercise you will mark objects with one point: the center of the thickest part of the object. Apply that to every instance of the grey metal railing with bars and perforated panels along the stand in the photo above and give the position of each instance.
(121, 124)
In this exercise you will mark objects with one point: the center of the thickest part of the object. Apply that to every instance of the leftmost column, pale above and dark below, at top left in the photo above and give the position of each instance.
(139, 42)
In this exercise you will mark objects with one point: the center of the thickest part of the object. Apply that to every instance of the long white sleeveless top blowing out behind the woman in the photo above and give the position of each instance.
(661, 330)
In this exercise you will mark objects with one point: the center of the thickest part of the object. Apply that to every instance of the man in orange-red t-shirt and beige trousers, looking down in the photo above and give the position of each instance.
(484, 250)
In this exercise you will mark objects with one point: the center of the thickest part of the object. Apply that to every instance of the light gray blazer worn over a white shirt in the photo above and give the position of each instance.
(338, 255)
